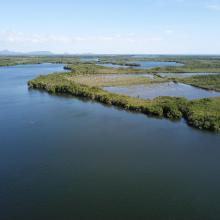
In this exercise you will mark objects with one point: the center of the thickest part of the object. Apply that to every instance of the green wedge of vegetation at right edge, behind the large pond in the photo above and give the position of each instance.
(211, 82)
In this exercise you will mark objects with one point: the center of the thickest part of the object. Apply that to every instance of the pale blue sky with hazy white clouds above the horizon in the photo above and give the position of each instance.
(111, 27)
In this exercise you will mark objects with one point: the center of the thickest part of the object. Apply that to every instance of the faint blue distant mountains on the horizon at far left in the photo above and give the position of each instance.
(33, 53)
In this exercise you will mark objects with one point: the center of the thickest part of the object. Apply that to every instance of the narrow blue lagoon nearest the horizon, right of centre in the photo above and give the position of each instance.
(143, 64)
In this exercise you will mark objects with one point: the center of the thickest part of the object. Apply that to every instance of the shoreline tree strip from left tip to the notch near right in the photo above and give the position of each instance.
(58, 83)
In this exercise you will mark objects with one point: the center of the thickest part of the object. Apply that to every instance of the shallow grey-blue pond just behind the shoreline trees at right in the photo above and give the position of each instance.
(163, 89)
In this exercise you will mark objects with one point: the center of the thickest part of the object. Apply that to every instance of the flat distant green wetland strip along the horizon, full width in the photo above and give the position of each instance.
(191, 63)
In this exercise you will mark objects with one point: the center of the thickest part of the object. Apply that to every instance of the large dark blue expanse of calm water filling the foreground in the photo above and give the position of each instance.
(62, 158)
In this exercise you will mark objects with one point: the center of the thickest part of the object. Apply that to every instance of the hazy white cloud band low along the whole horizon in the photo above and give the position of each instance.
(166, 40)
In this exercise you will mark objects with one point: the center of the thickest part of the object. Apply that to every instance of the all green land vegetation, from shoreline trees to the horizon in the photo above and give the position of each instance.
(85, 79)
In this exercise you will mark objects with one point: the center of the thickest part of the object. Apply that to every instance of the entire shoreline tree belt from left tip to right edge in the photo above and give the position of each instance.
(202, 114)
